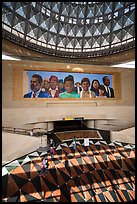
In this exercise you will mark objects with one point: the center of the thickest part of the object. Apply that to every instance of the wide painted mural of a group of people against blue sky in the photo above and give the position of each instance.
(45, 84)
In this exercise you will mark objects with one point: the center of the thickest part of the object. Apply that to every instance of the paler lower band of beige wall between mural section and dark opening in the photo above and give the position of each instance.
(29, 117)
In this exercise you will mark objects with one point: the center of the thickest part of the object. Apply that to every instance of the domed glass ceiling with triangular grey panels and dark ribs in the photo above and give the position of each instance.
(70, 29)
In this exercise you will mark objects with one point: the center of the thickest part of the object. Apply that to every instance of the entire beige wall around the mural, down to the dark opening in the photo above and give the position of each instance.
(20, 112)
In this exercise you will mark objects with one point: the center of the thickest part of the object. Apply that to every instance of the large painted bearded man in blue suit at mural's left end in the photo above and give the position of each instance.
(35, 85)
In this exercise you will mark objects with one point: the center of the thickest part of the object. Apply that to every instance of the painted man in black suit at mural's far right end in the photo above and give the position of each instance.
(109, 90)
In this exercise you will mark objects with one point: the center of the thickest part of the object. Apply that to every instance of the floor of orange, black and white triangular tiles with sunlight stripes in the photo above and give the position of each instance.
(101, 172)
